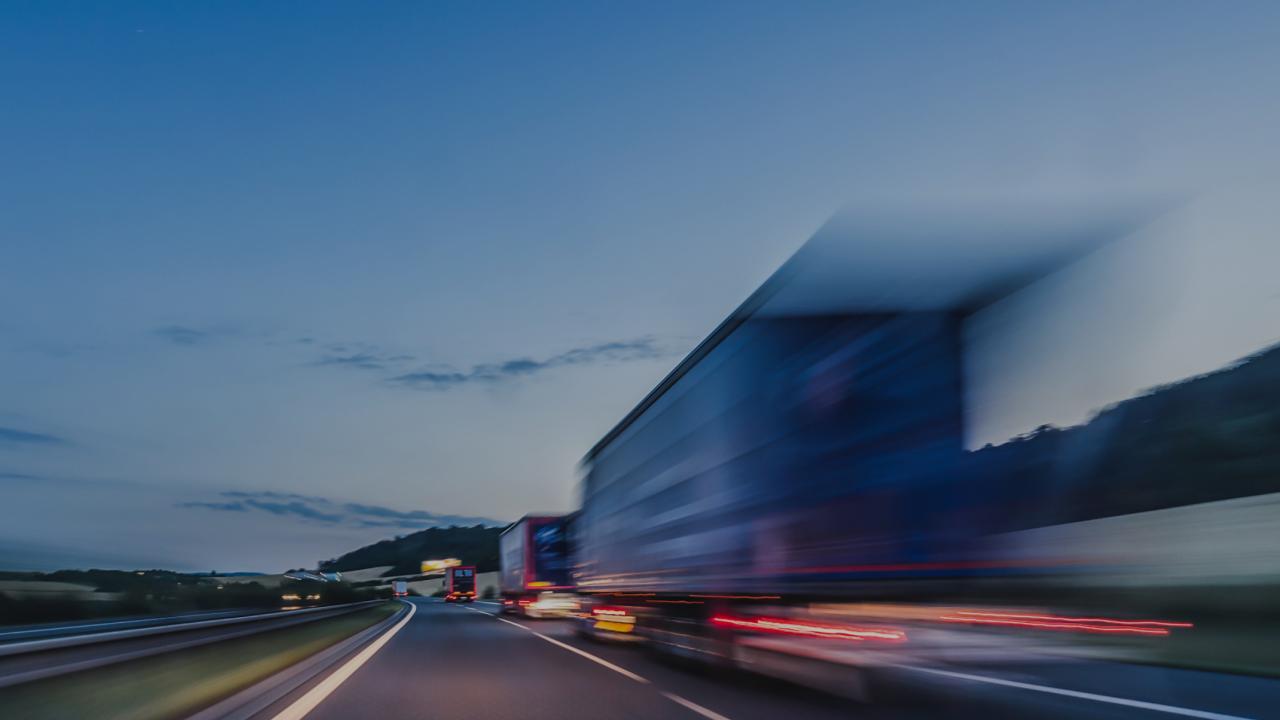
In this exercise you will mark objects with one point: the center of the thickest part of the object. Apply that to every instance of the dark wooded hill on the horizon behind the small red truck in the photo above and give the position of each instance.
(477, 545)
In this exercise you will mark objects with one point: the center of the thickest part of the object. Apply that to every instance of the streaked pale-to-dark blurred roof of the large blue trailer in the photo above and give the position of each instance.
(943, 254)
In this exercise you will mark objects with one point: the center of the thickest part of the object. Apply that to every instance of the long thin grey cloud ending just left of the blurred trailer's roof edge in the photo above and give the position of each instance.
(618, 352)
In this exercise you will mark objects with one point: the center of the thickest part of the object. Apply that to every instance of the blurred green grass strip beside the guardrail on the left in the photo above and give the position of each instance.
(180, 683)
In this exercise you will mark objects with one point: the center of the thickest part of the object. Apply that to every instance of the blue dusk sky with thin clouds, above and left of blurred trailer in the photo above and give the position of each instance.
(284, 279)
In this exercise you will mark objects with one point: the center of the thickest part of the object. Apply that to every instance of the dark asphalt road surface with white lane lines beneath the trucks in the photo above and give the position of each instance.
(467, 663)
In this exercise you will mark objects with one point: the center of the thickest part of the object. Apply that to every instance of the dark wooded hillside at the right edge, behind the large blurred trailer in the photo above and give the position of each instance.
(1206, 439)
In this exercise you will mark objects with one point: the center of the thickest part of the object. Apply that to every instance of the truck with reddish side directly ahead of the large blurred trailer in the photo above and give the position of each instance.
(536, 572)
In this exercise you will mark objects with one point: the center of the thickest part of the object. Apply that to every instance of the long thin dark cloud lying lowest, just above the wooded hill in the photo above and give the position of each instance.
(331, 513)
